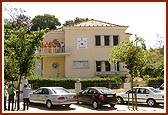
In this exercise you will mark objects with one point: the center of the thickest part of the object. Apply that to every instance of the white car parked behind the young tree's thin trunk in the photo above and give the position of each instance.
(148, 95)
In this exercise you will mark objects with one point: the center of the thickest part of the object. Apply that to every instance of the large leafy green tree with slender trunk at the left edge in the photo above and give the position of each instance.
(20, 44)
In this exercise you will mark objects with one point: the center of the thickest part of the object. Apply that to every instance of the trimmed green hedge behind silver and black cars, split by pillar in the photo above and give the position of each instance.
(69, 83)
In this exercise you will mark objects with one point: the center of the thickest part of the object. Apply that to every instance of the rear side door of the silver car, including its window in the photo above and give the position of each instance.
(44, 95)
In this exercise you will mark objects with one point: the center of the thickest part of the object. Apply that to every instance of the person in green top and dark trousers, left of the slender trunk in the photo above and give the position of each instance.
(11, 91)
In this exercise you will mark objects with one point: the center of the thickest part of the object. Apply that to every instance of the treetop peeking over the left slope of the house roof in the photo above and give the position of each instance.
(75, 21)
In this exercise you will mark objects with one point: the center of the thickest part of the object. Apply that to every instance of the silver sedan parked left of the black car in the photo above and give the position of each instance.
(53, 96)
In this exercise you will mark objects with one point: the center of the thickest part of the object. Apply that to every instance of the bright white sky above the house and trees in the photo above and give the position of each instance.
(145, 19)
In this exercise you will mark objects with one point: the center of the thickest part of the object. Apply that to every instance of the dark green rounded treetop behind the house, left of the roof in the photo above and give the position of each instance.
(45, 21)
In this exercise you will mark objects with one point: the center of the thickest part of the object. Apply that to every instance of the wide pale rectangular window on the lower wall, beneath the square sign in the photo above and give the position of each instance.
(80, 64)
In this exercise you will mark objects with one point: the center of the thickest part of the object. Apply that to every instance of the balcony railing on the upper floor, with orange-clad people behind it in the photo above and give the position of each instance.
(51, 50)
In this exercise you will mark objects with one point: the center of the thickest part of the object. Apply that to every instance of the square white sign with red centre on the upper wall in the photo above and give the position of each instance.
(81, 42)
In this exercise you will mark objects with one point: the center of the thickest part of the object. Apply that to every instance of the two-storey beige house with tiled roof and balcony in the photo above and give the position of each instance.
(81, 50)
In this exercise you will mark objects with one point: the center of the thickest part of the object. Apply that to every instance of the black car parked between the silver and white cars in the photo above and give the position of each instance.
(97, 96)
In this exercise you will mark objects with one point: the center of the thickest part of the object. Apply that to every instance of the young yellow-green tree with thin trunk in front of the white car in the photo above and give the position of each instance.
(134, 55)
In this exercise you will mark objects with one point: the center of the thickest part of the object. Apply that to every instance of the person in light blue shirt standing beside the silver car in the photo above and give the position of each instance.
(26, 96)
